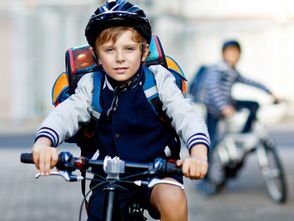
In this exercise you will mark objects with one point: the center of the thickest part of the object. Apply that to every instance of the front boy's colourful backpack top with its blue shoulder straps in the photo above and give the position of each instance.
(80, 61)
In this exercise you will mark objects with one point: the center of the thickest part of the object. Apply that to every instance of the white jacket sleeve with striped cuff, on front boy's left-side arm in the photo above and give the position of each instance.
(64, 121)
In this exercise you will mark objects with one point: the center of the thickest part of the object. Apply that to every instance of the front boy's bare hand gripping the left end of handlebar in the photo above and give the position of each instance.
(45, 157)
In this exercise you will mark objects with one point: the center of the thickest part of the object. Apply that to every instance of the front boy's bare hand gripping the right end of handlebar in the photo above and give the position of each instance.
(195, 166)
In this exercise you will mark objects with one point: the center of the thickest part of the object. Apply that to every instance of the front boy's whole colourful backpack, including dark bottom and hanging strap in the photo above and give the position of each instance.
(80, 61)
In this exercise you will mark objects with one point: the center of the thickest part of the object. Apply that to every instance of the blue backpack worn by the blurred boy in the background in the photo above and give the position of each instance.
(196, 89)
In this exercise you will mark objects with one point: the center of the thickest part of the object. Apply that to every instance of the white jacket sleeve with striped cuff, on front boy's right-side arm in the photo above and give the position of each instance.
(186, 119)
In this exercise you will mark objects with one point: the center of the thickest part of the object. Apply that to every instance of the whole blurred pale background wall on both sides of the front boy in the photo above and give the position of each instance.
(191, 31)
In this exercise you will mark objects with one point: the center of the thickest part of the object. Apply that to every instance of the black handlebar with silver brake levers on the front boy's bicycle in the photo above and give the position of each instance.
(113, 167)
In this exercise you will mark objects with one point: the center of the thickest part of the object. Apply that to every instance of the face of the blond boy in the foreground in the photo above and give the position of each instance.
(122, 59)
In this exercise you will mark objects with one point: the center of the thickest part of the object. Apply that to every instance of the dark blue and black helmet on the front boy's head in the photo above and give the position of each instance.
(117, 13)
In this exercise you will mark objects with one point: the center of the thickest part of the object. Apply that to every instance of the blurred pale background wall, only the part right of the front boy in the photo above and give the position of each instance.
(264, 28)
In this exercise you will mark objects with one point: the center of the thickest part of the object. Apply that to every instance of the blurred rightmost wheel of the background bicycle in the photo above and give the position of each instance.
(272, 170)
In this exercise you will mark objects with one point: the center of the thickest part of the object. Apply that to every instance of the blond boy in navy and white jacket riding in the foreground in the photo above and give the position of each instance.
(119, 33)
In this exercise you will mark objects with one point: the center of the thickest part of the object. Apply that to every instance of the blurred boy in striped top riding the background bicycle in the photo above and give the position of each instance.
(218, 83)
